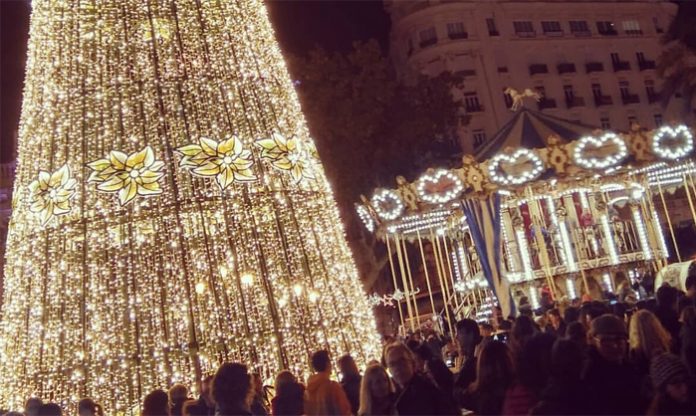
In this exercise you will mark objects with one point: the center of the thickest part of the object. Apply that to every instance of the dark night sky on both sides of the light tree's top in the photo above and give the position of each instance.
(300, 26)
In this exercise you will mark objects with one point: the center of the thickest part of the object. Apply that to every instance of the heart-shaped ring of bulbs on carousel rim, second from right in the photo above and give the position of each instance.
(588, 144)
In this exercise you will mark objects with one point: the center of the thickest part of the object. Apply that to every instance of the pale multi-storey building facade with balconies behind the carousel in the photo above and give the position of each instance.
(592, 61)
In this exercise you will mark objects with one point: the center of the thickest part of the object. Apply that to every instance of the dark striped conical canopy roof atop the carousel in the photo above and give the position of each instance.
(531, 130)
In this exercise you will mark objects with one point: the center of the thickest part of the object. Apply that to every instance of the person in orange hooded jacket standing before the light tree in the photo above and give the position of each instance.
(324, 396)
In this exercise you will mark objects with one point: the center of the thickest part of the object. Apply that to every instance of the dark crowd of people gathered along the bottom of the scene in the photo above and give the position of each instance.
(596, 359)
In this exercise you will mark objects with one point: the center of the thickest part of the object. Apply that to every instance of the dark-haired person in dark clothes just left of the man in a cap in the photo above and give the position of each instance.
(565, 393)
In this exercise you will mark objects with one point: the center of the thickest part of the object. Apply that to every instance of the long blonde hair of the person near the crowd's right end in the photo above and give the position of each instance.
(647, 335)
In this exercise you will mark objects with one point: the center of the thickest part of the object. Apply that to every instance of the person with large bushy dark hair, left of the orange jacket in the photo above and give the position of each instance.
(232, 390)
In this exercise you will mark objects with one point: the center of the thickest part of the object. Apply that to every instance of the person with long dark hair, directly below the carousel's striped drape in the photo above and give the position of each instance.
(494, 375)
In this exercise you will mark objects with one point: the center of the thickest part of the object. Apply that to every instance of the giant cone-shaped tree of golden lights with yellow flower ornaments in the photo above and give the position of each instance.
(170, 212)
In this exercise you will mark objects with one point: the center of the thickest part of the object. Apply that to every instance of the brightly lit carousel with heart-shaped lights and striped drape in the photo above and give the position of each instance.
(553, 215)
